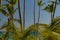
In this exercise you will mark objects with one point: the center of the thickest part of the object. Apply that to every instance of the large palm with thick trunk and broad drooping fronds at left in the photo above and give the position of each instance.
(11, 10)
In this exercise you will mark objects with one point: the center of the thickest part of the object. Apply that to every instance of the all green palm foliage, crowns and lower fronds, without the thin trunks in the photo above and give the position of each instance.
(43, 31)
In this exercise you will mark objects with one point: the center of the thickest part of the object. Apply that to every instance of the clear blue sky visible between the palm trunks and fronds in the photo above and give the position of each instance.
(45, 16)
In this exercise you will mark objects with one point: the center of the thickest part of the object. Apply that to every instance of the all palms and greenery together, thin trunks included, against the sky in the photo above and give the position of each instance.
(36, 31)
